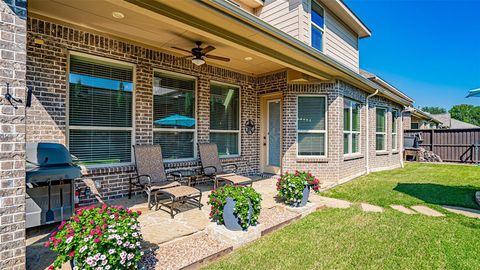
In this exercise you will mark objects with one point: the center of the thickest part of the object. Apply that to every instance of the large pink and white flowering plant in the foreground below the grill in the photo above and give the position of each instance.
(106, 237)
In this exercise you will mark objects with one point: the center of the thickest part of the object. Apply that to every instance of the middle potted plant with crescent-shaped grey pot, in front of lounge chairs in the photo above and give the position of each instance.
(237, 207)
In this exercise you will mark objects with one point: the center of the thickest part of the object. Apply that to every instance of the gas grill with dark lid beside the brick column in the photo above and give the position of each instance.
(50, 175)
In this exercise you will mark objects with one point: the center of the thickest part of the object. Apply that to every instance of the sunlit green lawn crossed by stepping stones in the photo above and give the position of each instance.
(349, 238)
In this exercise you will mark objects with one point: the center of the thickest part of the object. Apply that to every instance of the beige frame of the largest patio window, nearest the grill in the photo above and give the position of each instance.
(69, 127)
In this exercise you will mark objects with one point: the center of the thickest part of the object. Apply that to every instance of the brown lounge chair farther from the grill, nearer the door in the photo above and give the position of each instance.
(212, 168)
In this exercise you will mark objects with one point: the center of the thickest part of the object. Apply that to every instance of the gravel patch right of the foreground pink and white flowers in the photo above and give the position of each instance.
(186, 251)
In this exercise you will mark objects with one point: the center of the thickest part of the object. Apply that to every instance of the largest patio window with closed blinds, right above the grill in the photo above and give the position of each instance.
(100, 111)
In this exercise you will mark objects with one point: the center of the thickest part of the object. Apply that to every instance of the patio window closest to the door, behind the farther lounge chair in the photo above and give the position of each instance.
(225, 118)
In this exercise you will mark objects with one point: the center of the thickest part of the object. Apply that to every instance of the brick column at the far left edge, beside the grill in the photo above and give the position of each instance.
(12, 135)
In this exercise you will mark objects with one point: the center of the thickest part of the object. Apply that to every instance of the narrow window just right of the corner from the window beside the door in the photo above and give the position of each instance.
(351, 127)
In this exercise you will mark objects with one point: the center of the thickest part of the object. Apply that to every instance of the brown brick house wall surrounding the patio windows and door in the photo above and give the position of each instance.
(47, 74)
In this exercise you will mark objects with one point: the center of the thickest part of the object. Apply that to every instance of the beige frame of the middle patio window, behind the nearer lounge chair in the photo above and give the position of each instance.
(195, 130)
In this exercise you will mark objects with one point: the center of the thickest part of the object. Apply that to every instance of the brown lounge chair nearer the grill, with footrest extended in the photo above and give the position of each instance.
(152, 178)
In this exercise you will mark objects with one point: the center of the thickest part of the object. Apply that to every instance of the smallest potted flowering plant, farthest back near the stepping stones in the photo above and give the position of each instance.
(295, 187)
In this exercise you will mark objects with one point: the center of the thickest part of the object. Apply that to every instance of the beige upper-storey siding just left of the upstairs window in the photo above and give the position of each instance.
(283, 14)
